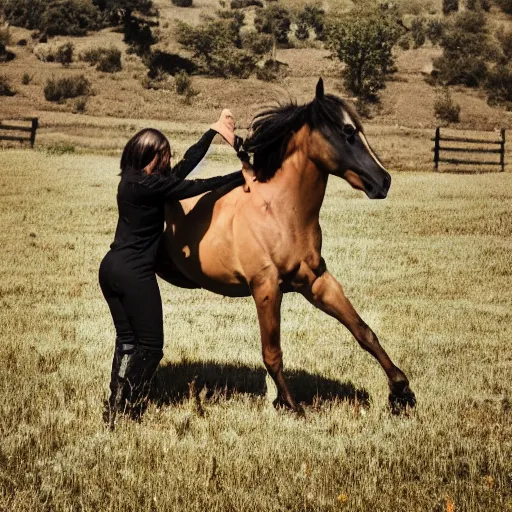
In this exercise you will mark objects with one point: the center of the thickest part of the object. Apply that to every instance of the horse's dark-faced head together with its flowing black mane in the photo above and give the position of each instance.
(337, 144)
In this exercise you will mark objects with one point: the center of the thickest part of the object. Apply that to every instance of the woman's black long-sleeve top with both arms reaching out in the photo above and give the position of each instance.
(141, 202)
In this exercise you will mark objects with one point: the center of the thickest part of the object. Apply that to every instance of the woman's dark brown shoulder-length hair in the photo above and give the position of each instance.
(142, 148)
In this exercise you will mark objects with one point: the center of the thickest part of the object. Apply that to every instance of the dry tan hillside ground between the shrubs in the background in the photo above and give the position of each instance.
(407, 101)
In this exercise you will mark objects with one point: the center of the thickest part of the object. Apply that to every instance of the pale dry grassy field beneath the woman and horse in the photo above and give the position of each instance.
(429, 269)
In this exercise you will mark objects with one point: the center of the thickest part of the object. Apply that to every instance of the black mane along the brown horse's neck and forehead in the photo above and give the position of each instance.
(272, 129)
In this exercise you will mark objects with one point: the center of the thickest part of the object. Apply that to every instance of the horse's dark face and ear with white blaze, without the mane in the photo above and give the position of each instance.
(339, 146)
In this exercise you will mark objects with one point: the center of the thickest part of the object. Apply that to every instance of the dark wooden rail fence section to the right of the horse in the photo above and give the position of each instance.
(457, 149)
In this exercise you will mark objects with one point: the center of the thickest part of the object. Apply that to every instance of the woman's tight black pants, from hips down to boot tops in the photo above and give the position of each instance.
(135, 304)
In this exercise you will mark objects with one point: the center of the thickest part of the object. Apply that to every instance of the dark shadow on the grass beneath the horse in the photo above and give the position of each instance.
(176, 382)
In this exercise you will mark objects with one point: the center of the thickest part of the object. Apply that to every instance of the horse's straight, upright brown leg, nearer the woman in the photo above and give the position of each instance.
(267, 296)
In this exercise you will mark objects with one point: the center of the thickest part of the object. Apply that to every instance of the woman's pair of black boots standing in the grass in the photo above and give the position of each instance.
(130, 383)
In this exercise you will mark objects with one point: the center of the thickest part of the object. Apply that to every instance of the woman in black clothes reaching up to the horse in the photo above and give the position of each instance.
(127, 273)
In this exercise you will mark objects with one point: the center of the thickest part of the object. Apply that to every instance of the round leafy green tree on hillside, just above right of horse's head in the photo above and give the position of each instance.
(363, 40)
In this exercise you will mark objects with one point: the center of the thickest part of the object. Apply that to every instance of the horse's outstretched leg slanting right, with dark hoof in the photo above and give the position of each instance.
(327, 294)
